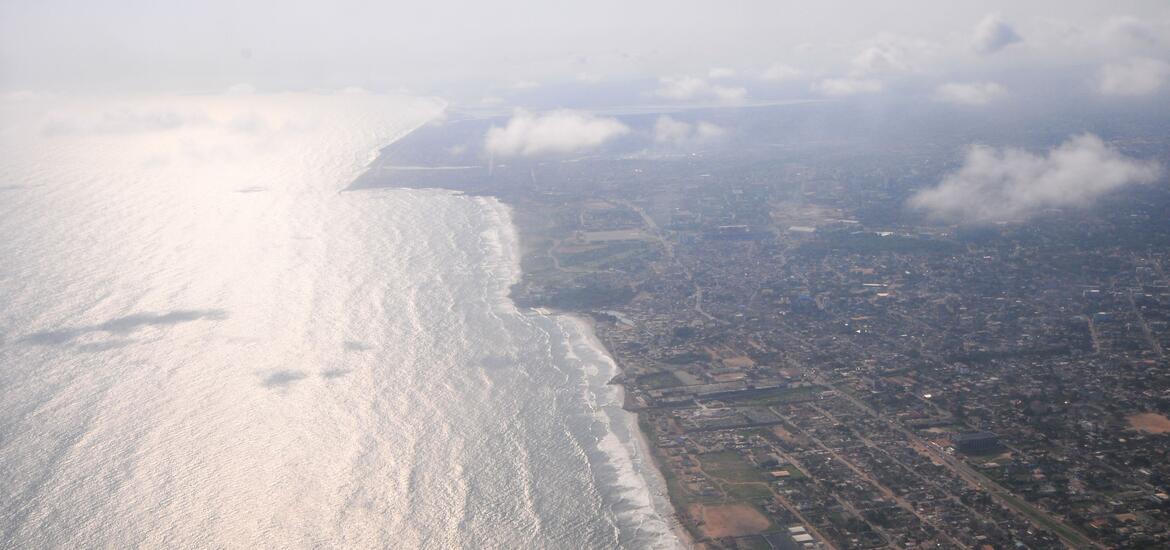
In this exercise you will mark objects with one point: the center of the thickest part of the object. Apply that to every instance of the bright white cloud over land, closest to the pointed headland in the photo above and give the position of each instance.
(562, 132)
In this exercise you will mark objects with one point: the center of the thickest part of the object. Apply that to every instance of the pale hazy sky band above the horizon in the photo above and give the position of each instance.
(838, 47)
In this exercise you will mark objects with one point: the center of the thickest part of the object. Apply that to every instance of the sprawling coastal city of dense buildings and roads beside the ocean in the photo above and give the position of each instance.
(816, 367)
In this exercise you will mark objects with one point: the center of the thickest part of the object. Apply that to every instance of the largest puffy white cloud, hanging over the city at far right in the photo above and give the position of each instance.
(1013, 184)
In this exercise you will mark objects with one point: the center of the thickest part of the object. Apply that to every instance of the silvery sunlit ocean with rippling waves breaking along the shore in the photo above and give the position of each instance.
(207, 343)
